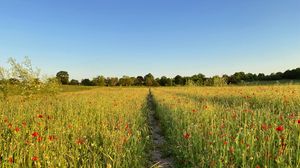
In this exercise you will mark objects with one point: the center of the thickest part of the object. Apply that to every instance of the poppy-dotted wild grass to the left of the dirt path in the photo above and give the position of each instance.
(96, 128)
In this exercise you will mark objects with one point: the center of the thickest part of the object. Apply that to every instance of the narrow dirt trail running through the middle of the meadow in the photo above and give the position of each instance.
(157, 156)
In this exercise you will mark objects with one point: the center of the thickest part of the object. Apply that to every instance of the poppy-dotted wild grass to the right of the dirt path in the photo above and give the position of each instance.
(232, 126)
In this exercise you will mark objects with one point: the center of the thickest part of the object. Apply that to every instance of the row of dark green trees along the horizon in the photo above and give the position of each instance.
(194, 80)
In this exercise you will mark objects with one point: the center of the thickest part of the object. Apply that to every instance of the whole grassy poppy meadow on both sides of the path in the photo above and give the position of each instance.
(238, 126)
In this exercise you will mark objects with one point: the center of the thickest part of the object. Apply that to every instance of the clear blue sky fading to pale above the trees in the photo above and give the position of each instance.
(164, 37)
